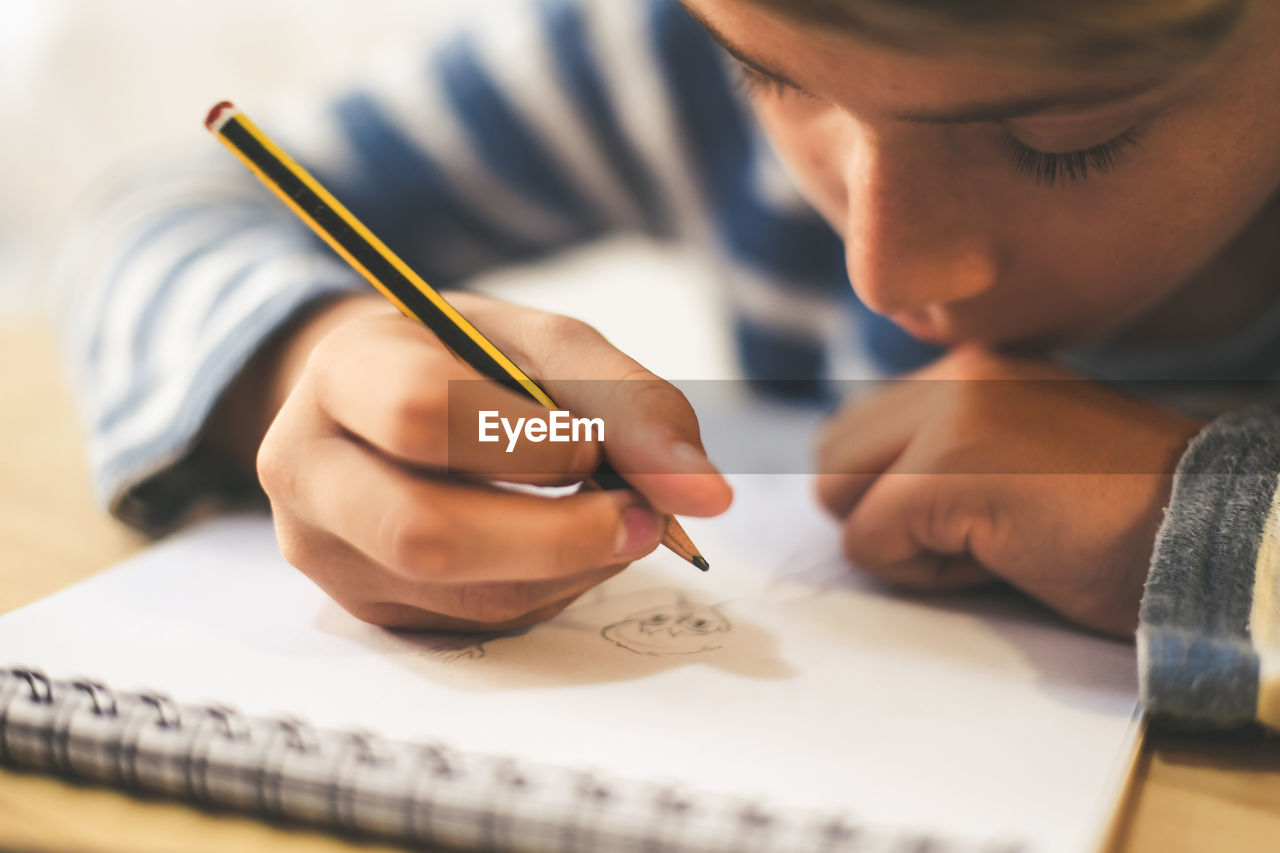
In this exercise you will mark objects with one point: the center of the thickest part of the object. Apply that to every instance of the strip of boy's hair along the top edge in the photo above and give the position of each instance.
(1058, 31)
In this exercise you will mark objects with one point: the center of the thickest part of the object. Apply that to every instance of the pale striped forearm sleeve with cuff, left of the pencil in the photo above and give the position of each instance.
(164, 295)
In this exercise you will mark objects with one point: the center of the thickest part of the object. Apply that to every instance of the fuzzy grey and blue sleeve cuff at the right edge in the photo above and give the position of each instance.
(1209, 638)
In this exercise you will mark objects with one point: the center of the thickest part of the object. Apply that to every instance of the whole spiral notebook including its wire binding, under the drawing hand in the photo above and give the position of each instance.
(779, 704)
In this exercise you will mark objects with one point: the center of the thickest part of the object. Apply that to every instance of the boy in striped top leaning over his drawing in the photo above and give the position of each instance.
(1089, 186)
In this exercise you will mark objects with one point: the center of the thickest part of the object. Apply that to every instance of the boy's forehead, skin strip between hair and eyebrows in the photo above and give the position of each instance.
(828, 61)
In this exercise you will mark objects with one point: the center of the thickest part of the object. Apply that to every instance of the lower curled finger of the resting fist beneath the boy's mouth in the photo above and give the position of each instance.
(918, 531)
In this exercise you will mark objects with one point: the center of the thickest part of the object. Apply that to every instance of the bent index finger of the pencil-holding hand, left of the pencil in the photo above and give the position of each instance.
(392, 385)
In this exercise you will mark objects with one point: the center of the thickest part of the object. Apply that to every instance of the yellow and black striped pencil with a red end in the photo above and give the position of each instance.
(394, 279)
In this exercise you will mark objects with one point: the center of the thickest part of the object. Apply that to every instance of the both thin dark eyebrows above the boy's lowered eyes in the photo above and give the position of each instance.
(973, 113)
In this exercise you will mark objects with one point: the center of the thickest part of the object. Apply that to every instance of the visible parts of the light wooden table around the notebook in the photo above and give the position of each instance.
(1188, 795)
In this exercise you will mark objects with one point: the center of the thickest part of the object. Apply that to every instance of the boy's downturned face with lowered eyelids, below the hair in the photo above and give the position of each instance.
(930, 170)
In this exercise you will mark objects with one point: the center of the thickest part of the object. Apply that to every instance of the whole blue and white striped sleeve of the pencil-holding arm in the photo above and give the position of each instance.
(542, 127)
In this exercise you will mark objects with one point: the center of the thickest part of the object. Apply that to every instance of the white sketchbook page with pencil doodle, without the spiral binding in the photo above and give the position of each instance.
(977, 715)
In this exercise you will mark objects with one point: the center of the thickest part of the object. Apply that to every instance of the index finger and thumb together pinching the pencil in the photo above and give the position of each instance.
(391, 384)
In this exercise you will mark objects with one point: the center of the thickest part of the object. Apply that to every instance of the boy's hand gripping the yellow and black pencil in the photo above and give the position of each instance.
(399, 524)
